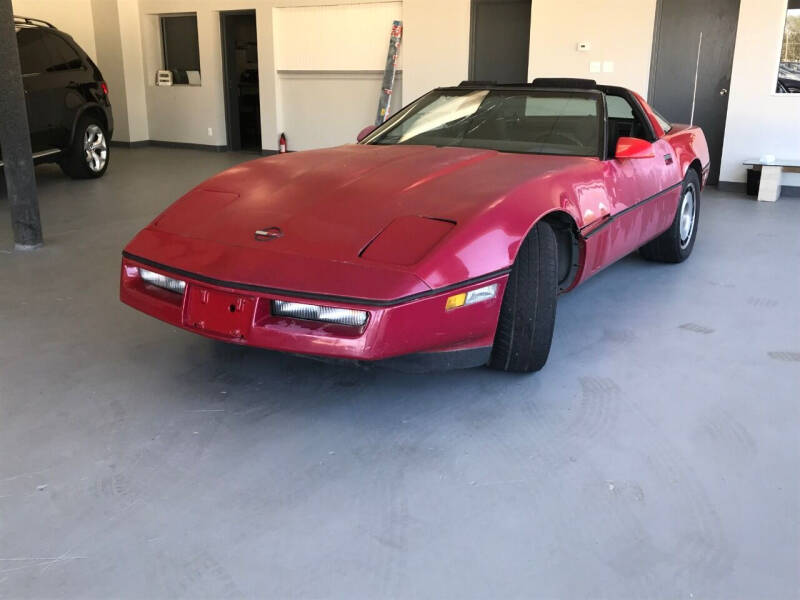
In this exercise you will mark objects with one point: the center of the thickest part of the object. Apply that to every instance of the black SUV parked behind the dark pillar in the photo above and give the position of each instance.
(68, 109)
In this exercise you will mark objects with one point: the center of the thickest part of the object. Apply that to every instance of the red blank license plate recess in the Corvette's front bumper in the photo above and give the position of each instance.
(218, 312)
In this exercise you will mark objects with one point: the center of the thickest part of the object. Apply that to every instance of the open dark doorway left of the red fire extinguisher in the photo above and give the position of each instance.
(240, 64)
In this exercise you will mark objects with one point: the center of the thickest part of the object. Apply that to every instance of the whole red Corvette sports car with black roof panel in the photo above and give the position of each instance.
(440, 240)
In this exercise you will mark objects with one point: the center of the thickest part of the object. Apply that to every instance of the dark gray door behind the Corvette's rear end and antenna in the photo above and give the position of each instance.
(674, 61)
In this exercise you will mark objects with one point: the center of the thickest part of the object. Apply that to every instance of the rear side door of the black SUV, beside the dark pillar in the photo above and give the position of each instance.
(34, 60)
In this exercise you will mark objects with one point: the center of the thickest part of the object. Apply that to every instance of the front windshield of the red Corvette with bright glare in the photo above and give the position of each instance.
(530, 122)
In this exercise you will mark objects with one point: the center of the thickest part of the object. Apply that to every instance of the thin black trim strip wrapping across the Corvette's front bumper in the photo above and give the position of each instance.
(309, 295)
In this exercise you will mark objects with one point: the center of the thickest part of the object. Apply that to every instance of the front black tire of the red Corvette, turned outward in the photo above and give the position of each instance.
(528, 312)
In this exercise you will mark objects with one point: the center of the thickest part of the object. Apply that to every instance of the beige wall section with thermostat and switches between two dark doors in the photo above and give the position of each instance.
(619, 31)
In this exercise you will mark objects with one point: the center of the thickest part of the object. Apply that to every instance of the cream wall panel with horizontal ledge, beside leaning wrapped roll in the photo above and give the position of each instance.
(330, 62)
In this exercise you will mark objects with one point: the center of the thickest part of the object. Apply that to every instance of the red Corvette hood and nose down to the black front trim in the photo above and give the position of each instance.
(325, 207)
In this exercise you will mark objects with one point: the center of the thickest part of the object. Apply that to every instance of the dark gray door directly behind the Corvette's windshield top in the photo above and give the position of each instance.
(500, 32)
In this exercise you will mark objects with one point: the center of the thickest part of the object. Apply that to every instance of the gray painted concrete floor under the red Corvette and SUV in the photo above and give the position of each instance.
(656, 455)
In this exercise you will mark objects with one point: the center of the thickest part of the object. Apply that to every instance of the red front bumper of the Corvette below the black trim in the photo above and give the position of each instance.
(240, 314)
